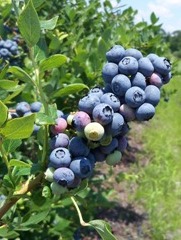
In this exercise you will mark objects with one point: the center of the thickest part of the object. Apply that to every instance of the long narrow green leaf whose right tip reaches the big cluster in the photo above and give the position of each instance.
(70, 89)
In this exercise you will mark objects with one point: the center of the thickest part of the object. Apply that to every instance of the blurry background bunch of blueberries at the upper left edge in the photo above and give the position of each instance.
(9, 50)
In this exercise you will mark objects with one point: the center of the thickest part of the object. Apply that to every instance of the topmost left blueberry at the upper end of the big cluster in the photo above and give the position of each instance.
(115, 54)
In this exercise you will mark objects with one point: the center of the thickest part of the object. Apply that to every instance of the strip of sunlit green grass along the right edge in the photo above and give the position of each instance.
(159, 184)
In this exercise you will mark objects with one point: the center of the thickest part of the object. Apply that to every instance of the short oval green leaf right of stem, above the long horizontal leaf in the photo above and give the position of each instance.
(53, 61)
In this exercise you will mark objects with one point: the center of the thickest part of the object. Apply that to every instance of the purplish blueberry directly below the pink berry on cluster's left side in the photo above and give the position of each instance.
(59, 140)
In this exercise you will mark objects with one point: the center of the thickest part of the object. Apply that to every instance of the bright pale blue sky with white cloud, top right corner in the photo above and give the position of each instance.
(168, 11)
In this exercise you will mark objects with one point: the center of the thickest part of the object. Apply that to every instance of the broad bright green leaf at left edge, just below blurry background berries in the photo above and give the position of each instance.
(18, 128)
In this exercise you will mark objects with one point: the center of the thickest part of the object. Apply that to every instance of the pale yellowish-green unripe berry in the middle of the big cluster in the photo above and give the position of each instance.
(94, 131)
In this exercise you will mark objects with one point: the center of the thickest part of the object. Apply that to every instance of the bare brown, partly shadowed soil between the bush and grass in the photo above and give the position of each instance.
(127, 218)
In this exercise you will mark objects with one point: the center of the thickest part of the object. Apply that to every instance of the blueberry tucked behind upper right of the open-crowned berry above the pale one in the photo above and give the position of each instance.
(111, 99)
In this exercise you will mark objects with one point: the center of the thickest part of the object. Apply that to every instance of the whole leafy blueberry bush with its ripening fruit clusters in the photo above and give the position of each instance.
(70, 83)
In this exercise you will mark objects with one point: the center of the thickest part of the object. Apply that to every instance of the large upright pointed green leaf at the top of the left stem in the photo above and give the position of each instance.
(29, 24)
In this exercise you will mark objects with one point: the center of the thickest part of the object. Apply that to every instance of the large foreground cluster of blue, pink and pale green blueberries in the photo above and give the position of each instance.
(131, 92)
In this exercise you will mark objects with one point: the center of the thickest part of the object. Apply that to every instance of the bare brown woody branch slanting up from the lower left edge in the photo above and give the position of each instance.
(28, 186)
